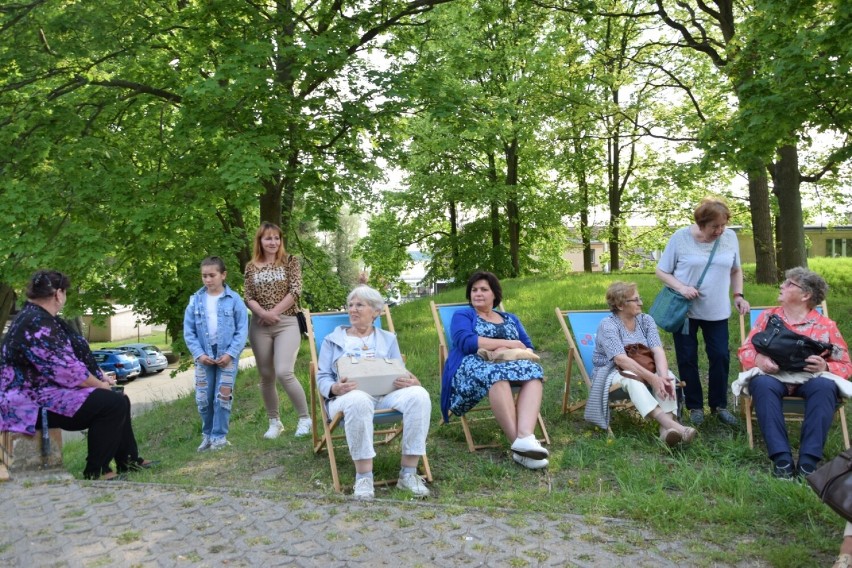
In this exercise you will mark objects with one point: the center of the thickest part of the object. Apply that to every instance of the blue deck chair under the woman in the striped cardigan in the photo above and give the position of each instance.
(584, 324)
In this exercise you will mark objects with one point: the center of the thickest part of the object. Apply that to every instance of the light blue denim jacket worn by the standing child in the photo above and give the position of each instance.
(232, 319)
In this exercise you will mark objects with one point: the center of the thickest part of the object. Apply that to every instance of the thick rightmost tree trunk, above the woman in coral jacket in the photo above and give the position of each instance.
(790, 228)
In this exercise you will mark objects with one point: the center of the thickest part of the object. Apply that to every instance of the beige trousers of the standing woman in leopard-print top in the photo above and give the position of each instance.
(275, 348)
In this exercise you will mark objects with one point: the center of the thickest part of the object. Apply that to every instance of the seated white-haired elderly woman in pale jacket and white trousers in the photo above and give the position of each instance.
(361, 338)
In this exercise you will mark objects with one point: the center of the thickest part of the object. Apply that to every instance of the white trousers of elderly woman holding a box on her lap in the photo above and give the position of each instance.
(357, 407)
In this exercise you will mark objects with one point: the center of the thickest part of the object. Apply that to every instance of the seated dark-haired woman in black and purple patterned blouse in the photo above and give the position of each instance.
(45, 364)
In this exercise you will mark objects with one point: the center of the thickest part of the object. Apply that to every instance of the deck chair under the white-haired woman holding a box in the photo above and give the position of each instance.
(324, 427)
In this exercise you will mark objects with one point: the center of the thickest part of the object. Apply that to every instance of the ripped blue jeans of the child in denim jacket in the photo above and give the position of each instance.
(214, 395)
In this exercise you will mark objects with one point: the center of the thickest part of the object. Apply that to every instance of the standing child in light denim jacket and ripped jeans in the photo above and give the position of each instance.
(215, 327)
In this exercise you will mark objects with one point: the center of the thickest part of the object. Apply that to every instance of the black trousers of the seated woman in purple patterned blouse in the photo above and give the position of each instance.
(106, 415)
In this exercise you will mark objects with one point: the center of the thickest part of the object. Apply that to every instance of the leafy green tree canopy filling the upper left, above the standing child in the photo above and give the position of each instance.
(165, 116)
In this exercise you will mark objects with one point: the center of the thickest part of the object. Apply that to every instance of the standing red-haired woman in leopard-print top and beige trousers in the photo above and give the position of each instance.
(273, 283)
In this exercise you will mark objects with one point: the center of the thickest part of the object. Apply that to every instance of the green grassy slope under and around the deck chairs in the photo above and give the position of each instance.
(715, 496)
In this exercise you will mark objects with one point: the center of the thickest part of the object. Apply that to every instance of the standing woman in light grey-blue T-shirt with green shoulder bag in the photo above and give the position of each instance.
(684, 259)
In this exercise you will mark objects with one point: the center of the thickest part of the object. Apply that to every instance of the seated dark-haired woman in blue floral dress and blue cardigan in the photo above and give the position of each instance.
(468, 377)
